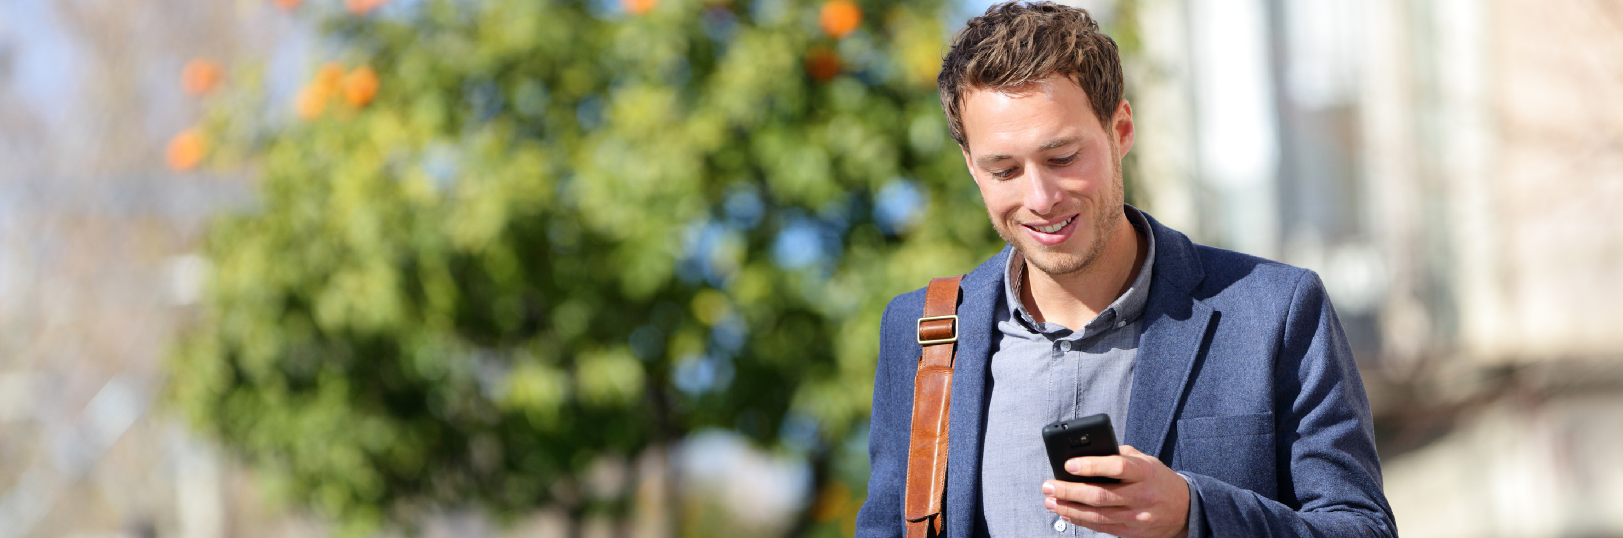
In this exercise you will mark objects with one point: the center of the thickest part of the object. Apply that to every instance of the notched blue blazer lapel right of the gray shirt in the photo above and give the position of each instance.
(1174, 328)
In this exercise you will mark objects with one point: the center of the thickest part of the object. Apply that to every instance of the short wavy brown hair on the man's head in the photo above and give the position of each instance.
(1015, 45)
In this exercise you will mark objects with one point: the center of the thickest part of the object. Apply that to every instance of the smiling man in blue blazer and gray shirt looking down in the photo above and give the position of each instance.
(1228, 378)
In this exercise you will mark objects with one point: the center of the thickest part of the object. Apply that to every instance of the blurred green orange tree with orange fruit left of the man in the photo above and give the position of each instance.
(535, 233)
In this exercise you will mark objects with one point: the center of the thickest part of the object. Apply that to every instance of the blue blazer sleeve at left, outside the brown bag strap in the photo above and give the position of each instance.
(892, 420)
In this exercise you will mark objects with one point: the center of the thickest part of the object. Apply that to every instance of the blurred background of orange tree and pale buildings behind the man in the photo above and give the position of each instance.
(616, 267)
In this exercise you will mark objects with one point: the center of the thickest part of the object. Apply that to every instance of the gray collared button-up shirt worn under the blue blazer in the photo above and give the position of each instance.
(1046, 373)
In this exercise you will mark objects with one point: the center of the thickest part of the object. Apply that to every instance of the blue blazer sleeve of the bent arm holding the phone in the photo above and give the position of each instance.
(1330, 477)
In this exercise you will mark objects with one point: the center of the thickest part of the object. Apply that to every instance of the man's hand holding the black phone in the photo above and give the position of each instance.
(1150, 503)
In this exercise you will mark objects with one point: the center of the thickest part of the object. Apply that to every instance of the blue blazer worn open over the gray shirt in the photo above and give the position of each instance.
(1244, 383)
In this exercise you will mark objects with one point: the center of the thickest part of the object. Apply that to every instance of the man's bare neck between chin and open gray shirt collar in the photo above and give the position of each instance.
(1077, 298)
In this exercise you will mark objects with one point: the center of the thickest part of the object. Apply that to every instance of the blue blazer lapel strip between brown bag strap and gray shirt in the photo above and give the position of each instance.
(983, 290)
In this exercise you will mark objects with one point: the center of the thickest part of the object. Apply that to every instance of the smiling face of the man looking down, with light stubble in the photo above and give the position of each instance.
(1049, 173)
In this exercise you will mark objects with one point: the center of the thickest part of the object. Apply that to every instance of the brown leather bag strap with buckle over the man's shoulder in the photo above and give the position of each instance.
(932, 404)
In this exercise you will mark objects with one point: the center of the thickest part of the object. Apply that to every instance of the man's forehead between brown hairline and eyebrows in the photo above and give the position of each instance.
(1010, 119)
